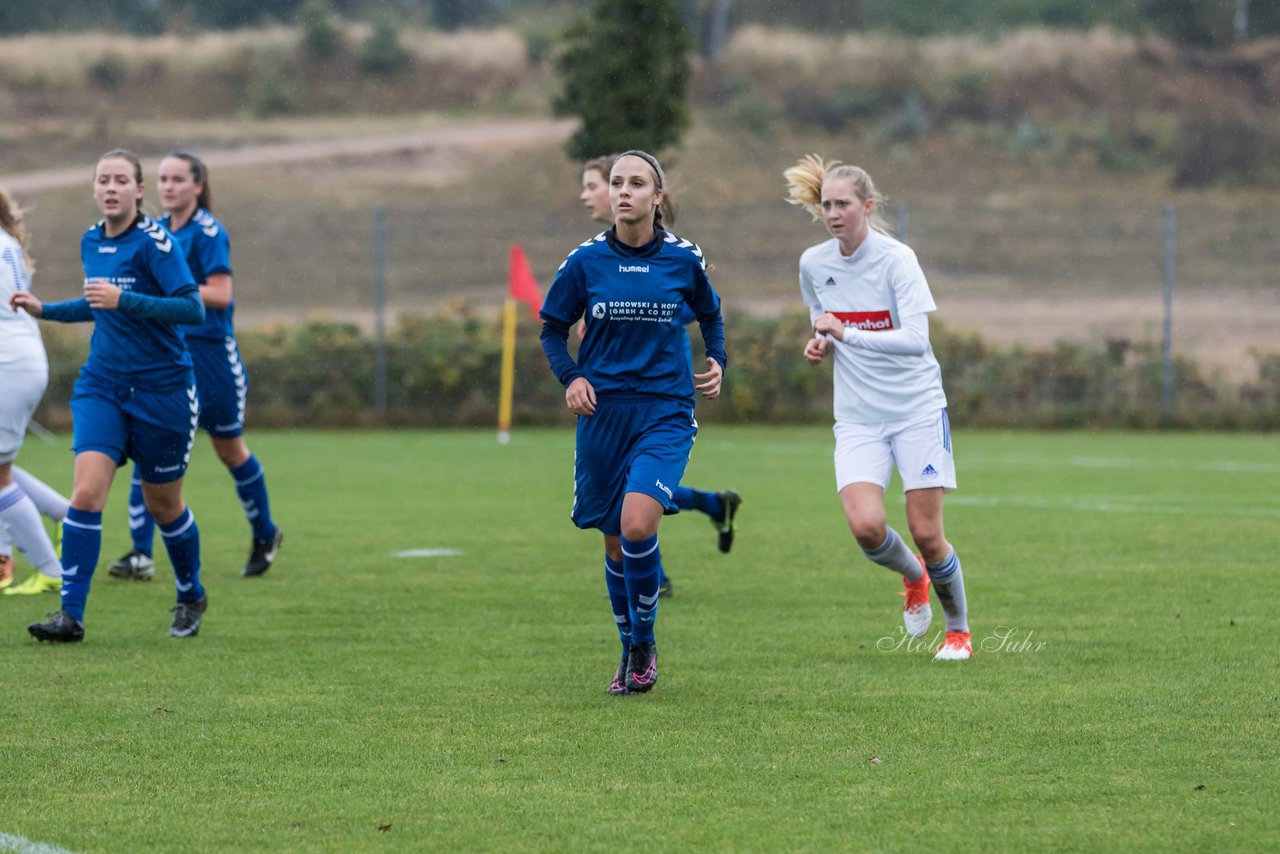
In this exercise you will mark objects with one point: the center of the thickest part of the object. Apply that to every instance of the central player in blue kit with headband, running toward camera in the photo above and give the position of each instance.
(633, 389)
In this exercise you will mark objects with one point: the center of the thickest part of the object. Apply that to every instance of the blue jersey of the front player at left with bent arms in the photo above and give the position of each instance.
(138, 351)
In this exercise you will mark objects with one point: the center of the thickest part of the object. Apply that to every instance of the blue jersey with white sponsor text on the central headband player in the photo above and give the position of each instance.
(633, 300)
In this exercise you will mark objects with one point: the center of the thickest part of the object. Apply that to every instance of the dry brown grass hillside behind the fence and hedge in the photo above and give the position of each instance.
(1025, 240)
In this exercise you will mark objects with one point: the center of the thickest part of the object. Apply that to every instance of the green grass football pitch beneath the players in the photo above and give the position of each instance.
(358, 701)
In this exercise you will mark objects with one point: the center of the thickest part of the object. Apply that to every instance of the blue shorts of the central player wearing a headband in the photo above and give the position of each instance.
(630, 445)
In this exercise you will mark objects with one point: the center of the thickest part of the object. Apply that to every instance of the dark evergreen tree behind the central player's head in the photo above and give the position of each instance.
(625, 72)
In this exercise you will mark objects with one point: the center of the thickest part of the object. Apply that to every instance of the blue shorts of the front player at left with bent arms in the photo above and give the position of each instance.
(156, 430)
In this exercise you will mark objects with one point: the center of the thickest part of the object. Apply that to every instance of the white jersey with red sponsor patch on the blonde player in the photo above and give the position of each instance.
(874, 290)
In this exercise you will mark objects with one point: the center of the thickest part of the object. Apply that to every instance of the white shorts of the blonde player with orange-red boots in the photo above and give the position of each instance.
(921, 447)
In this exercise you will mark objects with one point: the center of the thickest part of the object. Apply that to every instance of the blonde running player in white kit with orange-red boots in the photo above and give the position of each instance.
(871, 304)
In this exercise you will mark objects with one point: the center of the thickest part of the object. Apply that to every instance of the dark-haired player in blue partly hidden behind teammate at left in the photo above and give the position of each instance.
(221, 376)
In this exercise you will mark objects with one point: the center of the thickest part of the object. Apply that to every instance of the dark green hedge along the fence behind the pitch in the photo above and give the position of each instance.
(444, 372)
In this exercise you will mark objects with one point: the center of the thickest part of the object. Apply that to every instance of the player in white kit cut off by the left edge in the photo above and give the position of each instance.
(24, 377)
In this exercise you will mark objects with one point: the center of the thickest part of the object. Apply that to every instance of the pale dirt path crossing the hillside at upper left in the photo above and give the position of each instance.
(513, 134)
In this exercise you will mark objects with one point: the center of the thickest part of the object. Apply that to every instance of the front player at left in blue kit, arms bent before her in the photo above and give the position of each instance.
(136, 394)
